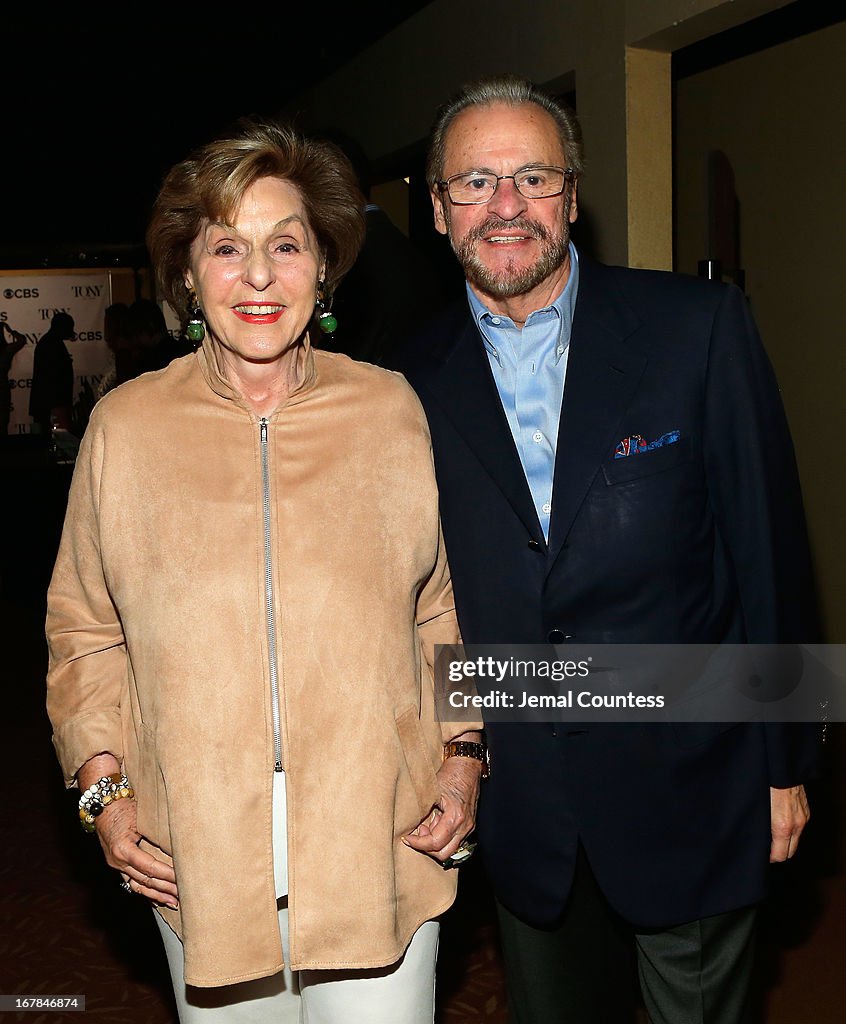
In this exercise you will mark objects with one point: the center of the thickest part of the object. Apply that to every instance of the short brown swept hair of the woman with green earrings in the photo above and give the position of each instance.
(210, 185)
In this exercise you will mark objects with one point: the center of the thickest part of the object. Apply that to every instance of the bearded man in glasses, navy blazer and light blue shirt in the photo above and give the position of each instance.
(615, 467)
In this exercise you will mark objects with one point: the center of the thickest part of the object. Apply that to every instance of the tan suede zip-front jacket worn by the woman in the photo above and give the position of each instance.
(210, 559)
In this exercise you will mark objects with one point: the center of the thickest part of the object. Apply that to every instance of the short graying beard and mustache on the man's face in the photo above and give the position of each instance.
(512, 281)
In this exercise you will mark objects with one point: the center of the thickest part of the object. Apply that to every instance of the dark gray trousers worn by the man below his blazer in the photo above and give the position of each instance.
(586, 970)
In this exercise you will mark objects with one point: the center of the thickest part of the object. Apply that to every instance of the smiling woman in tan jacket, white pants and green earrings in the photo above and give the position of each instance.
(243, 615)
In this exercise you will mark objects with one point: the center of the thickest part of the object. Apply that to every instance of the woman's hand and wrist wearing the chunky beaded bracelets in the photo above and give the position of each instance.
(117, 831)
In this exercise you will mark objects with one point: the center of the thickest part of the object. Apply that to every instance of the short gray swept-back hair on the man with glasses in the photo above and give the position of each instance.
(513, 92)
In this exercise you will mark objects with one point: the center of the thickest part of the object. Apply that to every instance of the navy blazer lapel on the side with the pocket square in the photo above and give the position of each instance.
(603, 374)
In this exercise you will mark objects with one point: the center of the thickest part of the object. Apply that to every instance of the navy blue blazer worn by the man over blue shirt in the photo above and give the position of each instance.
(702, 541)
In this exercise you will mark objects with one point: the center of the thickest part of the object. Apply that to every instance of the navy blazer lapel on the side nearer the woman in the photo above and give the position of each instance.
(464, 387)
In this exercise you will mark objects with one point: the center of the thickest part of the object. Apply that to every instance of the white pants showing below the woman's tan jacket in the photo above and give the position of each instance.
(402, 994)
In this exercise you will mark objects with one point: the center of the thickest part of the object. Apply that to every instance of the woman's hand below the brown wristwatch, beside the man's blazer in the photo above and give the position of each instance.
(454, 817)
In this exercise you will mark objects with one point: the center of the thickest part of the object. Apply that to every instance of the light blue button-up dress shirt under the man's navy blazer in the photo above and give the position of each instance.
(530, 367)
